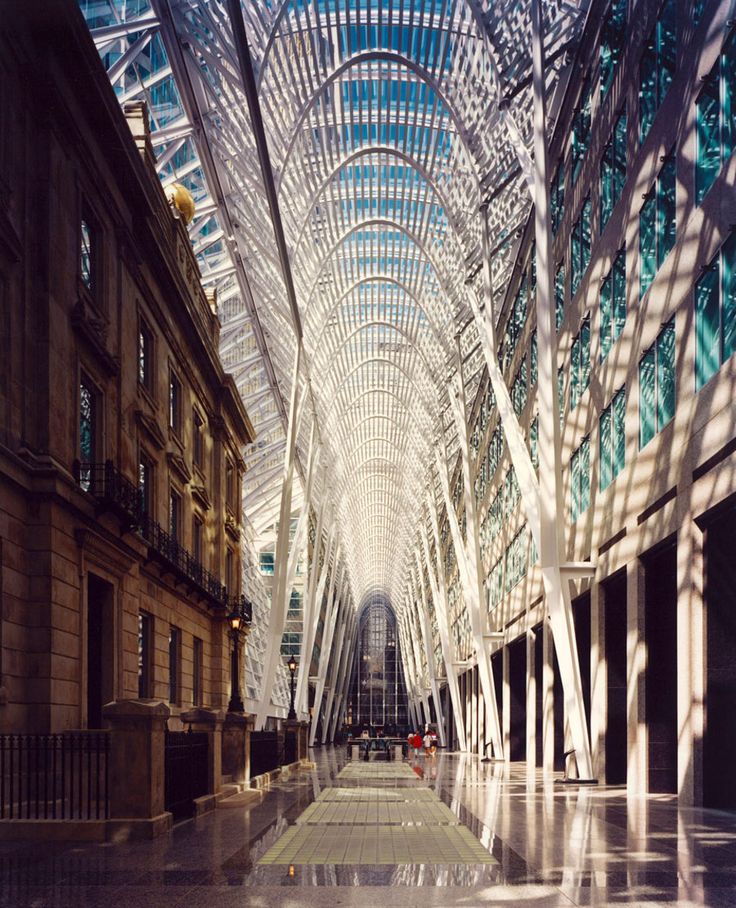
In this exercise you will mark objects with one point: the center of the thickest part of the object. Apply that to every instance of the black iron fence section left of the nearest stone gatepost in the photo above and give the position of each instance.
(55, 777)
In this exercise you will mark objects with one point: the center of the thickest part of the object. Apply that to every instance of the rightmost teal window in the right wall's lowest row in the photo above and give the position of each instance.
(715, 313)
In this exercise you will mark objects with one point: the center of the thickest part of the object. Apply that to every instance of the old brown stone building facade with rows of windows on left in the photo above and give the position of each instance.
(115, 578)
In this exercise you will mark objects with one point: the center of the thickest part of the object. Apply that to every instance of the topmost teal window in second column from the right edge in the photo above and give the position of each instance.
(657, 66)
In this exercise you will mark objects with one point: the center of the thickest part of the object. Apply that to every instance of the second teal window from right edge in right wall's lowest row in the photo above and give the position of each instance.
(657, 385)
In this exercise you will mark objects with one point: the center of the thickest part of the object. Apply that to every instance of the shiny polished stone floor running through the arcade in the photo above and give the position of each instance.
(547, 845)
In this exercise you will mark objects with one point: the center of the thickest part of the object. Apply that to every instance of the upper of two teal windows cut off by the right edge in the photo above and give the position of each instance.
(716, 129)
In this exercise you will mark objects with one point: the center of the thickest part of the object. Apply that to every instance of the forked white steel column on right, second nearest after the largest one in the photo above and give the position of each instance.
(472, 580)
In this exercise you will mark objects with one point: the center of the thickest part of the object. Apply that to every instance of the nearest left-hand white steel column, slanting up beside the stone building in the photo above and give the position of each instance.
(280, 595)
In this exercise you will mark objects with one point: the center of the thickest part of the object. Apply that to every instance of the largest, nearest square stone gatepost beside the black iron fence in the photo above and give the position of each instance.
(137, 768)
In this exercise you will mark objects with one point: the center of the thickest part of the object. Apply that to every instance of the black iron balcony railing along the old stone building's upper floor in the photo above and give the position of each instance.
(113, 490)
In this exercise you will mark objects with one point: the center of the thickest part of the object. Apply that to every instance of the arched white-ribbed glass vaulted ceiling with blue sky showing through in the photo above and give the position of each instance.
(385, 136)
